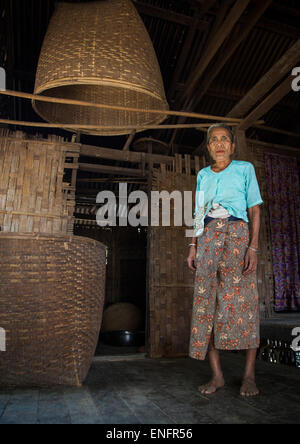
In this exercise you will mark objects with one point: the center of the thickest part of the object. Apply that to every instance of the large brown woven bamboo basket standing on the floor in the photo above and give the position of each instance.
(51, 298)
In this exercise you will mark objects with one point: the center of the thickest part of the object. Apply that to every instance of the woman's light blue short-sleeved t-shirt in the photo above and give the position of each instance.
(235, 188)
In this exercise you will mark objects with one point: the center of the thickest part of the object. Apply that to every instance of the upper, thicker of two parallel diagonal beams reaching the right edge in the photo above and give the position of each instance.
(280, 69)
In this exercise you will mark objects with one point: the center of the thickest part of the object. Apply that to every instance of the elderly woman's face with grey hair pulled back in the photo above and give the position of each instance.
(220, 146)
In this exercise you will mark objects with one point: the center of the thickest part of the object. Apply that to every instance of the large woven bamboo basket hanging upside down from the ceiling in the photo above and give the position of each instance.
(99, 52)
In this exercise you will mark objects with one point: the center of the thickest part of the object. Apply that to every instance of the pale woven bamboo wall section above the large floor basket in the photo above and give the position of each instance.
(34, 193)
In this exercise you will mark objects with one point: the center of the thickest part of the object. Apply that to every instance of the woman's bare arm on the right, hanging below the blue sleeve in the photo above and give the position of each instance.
(250, 262)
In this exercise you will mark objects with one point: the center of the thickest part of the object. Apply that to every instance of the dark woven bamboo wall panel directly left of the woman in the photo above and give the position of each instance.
(171, 283)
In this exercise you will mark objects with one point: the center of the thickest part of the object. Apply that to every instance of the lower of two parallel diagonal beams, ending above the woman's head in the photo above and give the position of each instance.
(281, 91)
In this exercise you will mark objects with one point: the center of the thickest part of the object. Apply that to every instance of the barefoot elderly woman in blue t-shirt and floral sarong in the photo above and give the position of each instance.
(224, 255)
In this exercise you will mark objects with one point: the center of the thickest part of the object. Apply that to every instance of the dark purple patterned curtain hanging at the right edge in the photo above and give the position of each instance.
(284, 208)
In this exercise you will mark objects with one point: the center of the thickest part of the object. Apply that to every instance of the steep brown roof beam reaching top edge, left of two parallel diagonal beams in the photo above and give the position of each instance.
(216, 43)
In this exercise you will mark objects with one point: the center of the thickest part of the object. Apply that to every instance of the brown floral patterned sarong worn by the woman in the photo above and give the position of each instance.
(225, 306)
